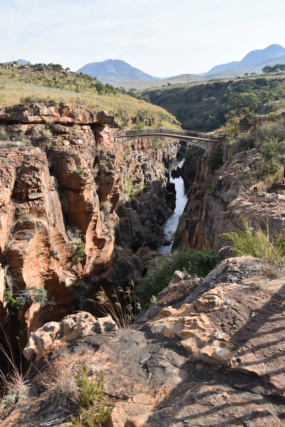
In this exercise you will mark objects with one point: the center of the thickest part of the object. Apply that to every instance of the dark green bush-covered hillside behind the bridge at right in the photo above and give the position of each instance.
(205, 106)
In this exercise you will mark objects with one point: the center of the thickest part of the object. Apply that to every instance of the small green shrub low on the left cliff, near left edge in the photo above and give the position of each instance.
(17, 300)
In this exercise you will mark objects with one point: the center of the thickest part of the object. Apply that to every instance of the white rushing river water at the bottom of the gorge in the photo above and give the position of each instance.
(171, 224)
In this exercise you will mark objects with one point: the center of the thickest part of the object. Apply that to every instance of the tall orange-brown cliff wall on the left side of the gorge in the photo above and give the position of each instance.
(74, 204)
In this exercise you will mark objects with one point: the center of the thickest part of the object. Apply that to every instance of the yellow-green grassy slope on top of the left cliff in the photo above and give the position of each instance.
(51, 83)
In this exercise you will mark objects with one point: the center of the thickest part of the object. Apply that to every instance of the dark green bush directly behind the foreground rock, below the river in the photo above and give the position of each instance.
(160, 270)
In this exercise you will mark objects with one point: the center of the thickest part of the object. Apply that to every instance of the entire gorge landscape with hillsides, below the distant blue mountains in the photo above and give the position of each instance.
(172, 326)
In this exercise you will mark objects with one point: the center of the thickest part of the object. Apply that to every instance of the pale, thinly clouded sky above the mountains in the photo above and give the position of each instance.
(160, 37)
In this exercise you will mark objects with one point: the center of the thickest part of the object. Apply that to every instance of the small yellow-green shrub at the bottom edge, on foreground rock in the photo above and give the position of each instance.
(93, 410)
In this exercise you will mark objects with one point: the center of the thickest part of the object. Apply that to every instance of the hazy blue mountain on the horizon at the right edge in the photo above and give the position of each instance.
(255, 58)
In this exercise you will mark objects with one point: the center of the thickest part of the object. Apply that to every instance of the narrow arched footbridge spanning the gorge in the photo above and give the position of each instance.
(198, 139)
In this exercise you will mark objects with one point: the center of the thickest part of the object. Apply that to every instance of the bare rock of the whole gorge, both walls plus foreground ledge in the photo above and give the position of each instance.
(81, 212)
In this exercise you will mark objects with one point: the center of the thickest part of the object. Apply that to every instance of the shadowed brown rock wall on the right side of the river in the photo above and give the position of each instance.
(218, 202)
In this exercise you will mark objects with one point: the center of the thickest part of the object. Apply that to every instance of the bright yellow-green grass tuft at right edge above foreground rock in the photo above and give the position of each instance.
(257, 243)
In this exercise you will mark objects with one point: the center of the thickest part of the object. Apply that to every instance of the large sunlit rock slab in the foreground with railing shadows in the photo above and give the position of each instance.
(210, 352)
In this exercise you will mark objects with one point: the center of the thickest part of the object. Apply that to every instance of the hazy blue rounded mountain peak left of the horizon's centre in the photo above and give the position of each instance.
(114, 70)
